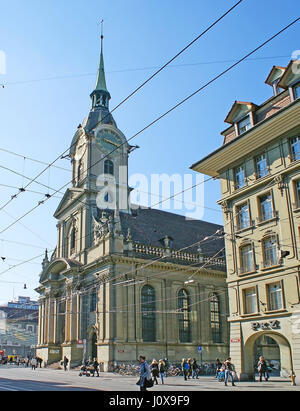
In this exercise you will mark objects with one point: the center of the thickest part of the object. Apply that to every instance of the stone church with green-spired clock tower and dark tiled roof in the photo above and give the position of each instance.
(125, 281)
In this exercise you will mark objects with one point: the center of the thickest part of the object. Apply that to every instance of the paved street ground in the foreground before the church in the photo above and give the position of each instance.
(25, 379)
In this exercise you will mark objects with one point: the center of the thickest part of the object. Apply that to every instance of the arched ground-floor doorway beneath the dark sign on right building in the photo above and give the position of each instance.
(254, 344)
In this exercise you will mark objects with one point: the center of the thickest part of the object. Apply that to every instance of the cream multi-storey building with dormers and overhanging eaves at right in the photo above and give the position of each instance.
(259, 170)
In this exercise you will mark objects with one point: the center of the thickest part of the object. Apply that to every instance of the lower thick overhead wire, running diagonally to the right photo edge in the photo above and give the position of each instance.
(168, 112)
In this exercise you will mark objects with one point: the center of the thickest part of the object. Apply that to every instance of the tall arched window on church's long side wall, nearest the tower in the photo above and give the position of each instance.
(148, 308)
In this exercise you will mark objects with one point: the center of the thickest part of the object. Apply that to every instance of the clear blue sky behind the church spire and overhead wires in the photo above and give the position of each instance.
(52, 50)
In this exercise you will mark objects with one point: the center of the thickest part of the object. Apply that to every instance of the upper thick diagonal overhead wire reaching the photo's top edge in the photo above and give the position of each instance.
(133, 93)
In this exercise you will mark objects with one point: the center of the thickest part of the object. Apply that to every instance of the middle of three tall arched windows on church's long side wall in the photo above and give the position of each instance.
(184, 318)
